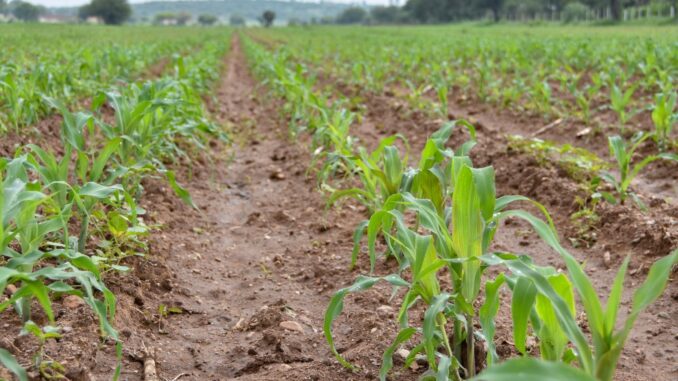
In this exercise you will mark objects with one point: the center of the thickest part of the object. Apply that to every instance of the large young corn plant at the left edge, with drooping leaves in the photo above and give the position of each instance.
(24, 234)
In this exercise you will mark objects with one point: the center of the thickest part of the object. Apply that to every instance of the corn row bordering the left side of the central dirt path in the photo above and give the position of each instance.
(67, 219)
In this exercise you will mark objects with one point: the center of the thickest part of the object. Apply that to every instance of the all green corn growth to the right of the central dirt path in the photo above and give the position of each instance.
(440, 217)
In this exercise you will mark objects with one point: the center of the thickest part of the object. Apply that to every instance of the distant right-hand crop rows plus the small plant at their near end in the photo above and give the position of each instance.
(554, 57)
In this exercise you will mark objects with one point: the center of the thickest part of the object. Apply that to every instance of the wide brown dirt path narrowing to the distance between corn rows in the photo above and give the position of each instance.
(245, 281)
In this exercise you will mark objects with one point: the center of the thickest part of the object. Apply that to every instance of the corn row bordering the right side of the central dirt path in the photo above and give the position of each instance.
(439, 218)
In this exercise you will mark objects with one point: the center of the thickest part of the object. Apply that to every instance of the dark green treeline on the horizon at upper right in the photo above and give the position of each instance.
(442, 11)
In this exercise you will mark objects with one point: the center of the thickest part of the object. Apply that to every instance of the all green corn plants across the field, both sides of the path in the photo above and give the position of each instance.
(70, 212)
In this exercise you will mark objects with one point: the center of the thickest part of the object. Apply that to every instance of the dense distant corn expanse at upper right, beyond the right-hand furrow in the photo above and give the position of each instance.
(543, 73)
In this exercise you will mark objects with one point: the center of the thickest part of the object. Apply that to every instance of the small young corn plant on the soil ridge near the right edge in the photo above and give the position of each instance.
(623, 154)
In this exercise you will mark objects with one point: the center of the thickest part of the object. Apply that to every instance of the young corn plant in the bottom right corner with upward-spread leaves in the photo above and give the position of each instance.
(549, 303)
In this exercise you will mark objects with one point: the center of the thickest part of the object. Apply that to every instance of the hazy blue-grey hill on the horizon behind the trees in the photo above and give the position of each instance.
(249, 9)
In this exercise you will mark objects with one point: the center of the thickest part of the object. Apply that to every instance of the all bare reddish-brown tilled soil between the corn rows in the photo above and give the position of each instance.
(238, 290)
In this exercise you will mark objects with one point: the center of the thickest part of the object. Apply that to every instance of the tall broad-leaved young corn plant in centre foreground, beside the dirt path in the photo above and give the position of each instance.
(459, 239)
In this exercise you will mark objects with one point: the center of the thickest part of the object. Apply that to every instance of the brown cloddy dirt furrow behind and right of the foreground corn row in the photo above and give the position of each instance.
(644, 237)
